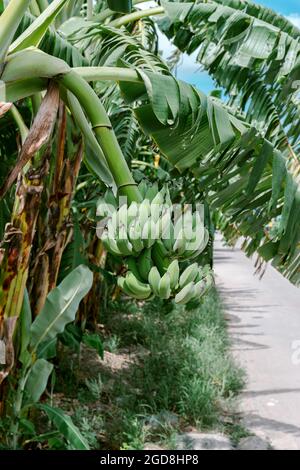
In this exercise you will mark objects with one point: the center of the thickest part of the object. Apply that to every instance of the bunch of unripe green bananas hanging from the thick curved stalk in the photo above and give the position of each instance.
(153, 239)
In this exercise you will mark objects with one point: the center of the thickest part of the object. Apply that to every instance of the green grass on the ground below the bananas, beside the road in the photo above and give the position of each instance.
(182, 369)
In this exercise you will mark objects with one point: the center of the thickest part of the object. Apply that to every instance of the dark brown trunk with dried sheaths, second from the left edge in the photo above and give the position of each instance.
(54, 222)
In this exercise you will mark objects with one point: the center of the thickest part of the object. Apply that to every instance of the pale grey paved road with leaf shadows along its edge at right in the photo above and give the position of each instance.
(264, 320)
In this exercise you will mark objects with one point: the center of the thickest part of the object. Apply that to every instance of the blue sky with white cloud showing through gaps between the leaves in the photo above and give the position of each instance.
(189, 70)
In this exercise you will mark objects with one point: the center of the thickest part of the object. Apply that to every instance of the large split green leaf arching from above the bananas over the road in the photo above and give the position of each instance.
(239, 170)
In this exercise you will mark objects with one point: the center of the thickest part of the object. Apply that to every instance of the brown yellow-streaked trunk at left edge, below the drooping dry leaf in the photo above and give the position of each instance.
(15, 254)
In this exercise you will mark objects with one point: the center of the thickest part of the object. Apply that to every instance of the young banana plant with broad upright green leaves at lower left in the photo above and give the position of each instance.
(37, 346)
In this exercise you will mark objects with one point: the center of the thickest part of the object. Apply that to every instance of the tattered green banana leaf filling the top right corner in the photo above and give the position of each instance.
(251, 52)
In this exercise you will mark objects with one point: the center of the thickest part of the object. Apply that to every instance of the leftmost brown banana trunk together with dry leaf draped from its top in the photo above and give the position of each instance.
(19, 234)
